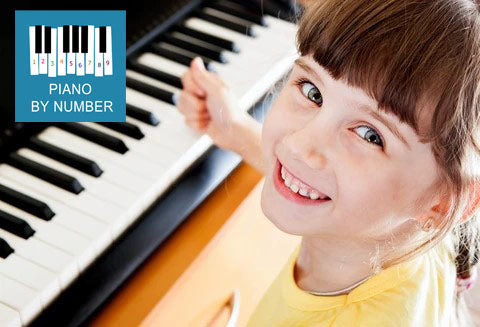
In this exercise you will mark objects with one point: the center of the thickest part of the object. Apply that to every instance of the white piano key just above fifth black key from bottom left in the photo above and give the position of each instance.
(111, 171)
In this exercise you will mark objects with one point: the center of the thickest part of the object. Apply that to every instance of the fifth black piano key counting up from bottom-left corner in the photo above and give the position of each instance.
(69, 158)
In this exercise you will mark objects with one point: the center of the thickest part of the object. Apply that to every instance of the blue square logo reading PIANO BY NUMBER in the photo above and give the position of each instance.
(70, 66)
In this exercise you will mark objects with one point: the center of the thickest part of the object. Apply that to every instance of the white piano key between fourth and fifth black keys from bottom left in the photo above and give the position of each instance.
(96, 185)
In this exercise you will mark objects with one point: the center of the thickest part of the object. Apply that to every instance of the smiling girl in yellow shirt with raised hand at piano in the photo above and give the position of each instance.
(370, 153)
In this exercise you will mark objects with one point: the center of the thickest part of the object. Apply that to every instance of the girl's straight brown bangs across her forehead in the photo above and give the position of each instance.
(412, 57)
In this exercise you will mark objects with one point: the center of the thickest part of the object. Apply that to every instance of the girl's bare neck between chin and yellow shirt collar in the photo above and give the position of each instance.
(327, 265)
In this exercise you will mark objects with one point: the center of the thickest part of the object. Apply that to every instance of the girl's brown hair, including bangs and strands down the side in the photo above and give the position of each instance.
(420, 59)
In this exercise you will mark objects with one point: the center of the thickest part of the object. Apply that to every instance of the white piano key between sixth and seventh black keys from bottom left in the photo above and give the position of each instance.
(142, 148)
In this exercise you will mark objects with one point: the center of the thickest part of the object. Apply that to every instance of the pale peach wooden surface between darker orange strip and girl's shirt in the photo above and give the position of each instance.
(246, 254)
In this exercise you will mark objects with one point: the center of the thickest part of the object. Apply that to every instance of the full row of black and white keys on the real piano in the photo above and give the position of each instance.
(75, 187)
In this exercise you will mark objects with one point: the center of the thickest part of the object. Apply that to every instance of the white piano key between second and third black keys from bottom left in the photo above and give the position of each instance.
(57, 236)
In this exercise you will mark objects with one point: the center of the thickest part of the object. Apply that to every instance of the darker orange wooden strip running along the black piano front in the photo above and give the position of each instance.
(131, 304)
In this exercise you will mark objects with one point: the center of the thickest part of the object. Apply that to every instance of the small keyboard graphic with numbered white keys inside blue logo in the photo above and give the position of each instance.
(71, 50)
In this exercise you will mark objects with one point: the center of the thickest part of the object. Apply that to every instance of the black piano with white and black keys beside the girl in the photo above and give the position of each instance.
(82, 205)
